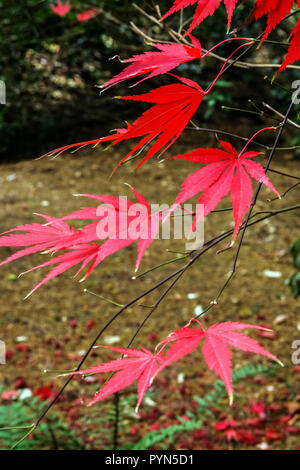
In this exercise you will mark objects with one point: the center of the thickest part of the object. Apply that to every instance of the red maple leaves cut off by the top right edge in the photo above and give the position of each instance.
(276, 10)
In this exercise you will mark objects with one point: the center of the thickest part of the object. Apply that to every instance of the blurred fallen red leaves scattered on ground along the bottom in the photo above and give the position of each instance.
(257, 424)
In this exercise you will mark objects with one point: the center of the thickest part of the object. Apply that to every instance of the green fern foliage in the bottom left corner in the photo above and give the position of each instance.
(52, 433)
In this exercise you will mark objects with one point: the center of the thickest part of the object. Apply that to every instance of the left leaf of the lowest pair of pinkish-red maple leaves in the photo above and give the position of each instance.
(137, 365)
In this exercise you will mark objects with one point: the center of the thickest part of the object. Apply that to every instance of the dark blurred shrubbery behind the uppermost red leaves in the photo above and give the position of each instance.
(51, 64)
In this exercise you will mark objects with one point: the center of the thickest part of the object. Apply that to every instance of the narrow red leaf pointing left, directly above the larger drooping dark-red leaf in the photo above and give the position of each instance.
(156, 63)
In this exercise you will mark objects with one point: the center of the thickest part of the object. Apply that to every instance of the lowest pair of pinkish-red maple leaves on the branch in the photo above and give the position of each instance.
(143, 365)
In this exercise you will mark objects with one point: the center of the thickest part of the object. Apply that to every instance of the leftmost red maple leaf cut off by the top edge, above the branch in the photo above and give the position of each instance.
(203, 10)
